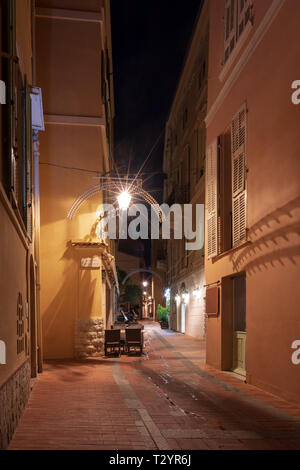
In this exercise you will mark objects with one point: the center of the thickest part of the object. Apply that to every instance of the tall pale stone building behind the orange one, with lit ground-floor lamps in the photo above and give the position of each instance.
(184, 162)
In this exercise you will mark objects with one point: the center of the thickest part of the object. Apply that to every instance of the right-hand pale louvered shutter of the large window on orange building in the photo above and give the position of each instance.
(238, 153)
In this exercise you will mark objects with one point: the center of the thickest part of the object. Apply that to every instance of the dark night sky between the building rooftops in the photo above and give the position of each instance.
(150, 38)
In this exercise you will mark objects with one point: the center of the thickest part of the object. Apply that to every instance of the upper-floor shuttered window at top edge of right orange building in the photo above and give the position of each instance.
(237, 15)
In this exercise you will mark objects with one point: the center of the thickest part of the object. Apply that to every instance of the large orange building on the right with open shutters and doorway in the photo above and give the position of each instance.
(252, 192)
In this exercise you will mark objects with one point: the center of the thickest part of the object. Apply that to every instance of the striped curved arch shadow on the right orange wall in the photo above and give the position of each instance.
(274, 246)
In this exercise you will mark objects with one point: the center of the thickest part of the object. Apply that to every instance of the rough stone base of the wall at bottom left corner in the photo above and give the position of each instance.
(14, 395)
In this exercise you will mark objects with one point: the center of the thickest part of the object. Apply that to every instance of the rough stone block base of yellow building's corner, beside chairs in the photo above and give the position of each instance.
(89, 337)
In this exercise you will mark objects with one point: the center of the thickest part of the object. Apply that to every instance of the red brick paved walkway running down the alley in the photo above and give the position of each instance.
(166, 399)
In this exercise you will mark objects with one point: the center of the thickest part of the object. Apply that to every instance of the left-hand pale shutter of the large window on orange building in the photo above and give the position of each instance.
(212, 200)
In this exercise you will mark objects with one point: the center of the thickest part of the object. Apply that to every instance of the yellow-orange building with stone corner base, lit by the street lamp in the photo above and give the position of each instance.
(78, 275)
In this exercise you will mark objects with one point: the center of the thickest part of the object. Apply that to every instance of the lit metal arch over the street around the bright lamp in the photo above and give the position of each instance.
(114, 185)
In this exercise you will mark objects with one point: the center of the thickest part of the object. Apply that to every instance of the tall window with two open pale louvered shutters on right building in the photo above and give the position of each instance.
(226, 196)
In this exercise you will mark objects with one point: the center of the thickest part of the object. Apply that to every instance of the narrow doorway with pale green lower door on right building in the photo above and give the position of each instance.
(239, 325)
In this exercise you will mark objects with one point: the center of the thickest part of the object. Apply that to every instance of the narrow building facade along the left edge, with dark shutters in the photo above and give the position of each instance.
(20, 338)
